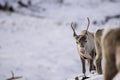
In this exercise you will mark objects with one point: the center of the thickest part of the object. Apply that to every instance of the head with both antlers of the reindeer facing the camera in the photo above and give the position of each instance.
(82, 39)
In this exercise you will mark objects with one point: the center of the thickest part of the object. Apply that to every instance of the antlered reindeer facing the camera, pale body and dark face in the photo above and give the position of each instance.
(85, 46)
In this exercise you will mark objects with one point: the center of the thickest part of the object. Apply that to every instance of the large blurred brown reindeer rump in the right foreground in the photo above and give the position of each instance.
(111, 53)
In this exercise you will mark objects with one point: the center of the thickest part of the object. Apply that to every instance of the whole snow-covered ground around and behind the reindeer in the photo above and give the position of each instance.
(44, 48)
